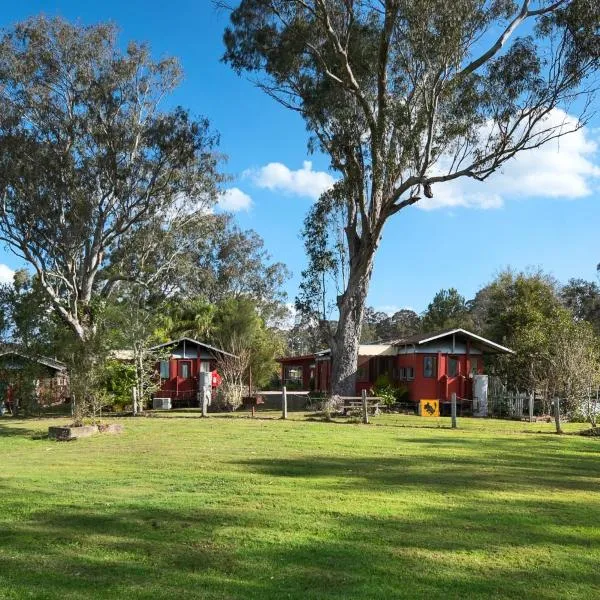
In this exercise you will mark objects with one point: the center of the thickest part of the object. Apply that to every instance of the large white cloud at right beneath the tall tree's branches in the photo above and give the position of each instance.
(563, 168)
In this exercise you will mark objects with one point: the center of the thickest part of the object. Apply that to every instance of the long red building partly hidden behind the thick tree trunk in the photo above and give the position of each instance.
(431, 366)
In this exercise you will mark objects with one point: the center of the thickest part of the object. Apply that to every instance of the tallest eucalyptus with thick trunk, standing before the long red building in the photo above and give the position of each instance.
(403, 95)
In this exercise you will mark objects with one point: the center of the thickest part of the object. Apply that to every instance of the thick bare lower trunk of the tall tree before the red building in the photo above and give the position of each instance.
(346, 340)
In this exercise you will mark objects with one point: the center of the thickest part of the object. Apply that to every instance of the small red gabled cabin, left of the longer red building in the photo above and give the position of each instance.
(180, 367)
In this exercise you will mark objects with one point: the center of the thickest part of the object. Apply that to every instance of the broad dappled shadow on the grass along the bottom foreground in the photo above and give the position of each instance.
(248, 553)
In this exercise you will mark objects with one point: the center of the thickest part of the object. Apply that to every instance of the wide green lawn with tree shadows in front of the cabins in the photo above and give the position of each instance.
(240, 508)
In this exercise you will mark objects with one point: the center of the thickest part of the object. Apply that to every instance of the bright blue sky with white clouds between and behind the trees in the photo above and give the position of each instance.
(543, 212)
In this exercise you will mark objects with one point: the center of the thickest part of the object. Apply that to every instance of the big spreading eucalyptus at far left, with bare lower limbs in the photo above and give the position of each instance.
(88, 157)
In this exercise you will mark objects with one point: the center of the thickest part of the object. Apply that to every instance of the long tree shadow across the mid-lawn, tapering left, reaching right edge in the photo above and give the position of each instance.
(498, 464)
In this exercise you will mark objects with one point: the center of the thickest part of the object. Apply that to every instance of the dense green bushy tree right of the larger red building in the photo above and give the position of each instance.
(556, 351)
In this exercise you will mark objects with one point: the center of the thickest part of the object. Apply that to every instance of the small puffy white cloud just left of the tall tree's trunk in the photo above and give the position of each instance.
(303, 182)
